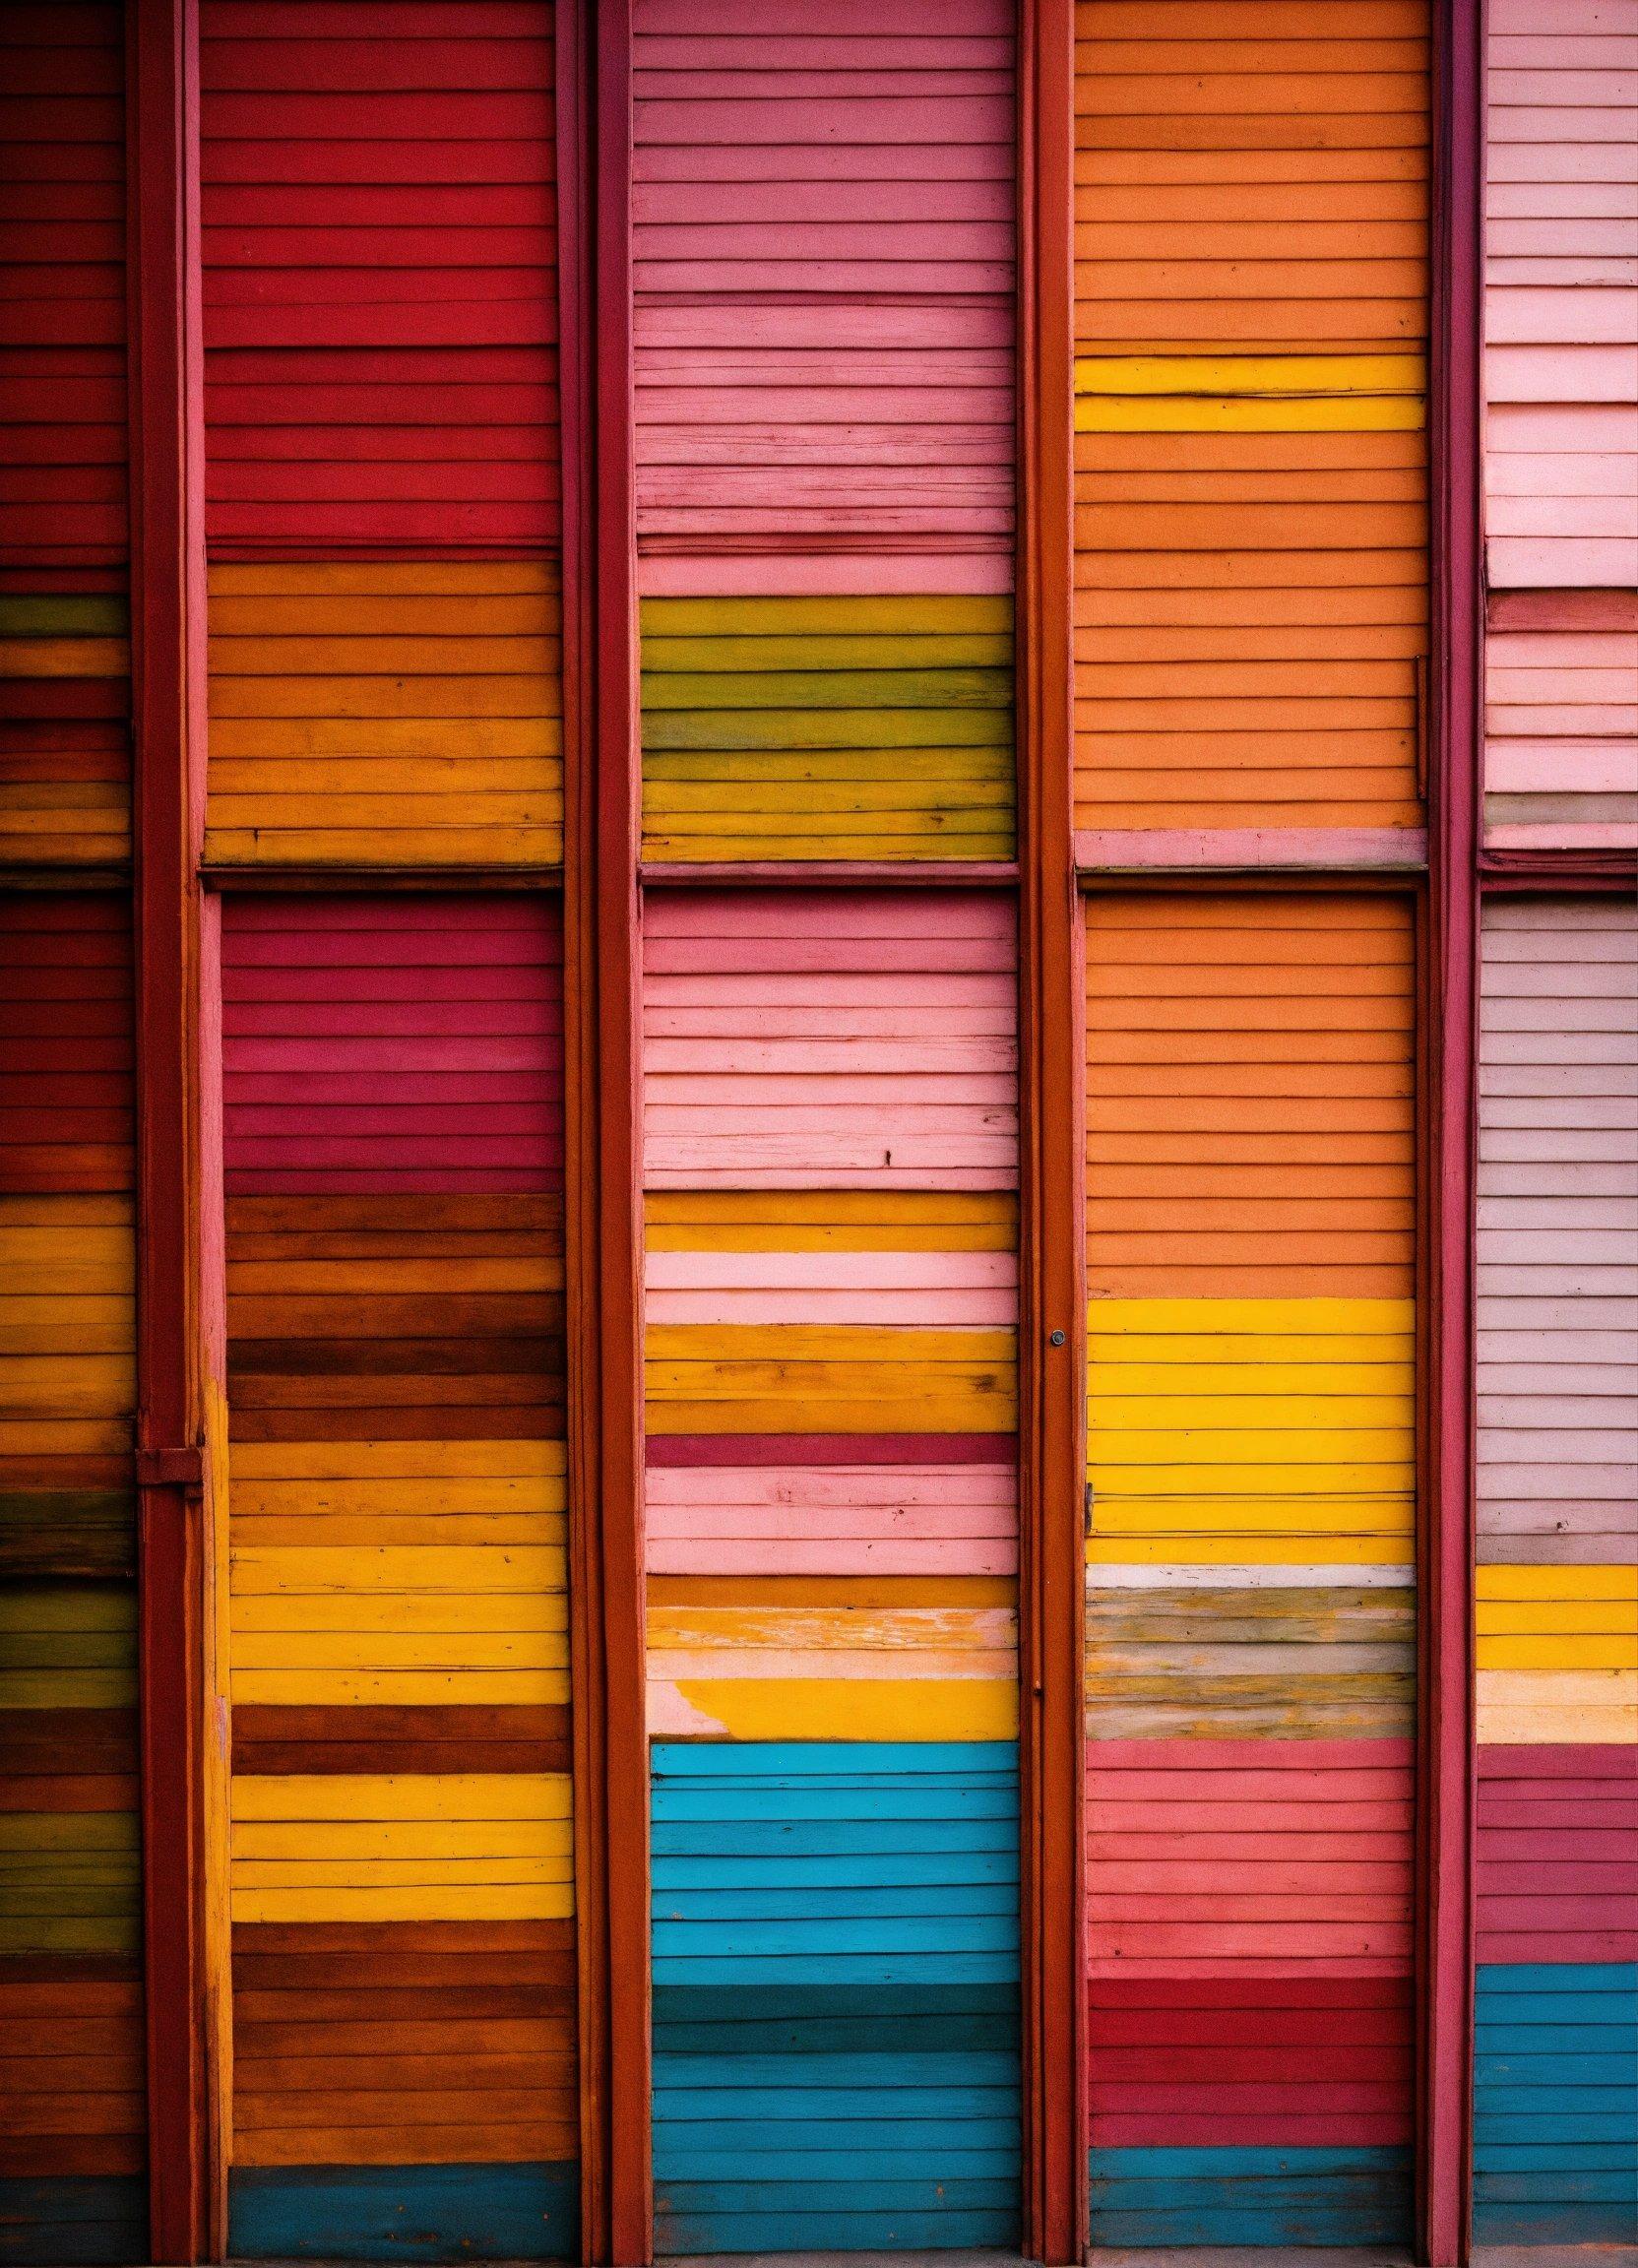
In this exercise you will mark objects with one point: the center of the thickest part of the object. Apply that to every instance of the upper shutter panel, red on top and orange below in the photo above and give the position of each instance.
(380, 282)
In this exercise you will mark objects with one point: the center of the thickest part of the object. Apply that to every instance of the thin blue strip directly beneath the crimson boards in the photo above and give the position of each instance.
(1251, 2197)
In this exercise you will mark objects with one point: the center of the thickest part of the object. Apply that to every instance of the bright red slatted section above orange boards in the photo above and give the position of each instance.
(380, 280)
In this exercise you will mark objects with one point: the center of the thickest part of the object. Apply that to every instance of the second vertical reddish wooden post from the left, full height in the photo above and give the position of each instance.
(605, 1151)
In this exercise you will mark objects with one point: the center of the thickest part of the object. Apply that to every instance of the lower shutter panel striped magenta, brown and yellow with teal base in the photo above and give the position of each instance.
(403, 1840)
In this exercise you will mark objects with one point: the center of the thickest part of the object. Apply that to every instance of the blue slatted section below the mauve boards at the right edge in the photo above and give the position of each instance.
(1555, 2106)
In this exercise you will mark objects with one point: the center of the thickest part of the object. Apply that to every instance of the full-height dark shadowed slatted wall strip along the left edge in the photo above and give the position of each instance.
(74, 2151)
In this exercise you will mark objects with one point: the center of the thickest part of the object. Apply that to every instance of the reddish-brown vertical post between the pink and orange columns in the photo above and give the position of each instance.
(1052, 1203)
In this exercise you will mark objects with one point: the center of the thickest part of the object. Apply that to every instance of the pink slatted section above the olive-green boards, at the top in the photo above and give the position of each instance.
(825, 273)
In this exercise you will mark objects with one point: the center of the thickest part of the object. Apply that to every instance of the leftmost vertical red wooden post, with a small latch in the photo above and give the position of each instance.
(178, 1330)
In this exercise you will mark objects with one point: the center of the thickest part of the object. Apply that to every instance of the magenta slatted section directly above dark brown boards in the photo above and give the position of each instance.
(391, 1044)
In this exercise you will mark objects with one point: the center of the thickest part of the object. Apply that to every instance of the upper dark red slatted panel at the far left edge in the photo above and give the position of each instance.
(65, 666)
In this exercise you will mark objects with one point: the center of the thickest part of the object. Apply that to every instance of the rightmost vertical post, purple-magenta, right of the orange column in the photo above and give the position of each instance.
(1444, 2160)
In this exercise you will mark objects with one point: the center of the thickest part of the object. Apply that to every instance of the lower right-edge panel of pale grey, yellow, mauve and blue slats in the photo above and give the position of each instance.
(1557, 1584)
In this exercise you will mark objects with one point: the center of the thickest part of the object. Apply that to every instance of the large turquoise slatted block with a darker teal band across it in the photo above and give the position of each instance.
(836, 2017)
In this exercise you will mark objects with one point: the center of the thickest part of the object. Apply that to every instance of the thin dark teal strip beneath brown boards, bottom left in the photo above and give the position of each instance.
(405, 2212)
